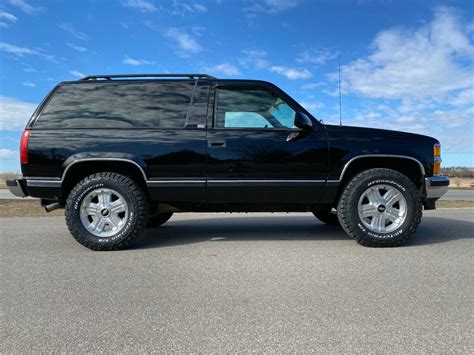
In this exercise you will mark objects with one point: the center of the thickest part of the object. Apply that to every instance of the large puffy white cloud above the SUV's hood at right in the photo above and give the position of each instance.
(418, 80)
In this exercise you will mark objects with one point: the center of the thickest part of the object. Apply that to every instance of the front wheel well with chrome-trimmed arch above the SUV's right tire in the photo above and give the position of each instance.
(407, 167)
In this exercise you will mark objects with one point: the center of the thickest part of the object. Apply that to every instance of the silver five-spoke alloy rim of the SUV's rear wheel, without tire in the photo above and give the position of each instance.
(104, 212)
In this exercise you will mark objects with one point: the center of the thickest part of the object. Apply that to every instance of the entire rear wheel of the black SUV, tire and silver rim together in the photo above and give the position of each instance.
(106, 211)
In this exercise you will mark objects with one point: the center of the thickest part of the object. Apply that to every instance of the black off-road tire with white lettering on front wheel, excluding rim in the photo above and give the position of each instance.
(348, 204)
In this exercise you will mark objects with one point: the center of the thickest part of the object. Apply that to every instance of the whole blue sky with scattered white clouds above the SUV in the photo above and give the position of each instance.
(405, 65)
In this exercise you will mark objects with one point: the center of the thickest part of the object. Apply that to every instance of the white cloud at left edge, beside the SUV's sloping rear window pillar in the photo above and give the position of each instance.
(14, 113)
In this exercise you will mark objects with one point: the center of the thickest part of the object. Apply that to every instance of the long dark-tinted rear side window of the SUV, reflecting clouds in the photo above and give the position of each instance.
(118, 105)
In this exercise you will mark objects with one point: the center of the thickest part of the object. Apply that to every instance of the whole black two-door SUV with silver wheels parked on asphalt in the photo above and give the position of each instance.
(124, 152)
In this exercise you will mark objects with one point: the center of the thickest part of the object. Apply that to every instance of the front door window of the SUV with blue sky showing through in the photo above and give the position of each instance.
(252, 108)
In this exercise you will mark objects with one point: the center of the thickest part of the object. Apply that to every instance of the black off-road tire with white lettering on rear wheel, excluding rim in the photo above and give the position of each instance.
(137, 207)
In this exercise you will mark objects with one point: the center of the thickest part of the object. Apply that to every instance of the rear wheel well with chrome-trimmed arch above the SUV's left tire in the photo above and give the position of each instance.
(80, 170)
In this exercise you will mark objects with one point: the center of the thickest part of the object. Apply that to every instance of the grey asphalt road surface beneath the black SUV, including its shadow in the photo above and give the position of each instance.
(239, 283)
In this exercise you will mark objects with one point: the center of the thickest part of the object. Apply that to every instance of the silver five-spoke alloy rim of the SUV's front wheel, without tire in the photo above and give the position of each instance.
(382, 208)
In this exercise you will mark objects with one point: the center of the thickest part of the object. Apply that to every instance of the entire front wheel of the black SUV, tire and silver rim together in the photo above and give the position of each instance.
(380, 208)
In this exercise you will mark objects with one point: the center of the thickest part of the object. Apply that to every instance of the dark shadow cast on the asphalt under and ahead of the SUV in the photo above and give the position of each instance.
(179, 232)
